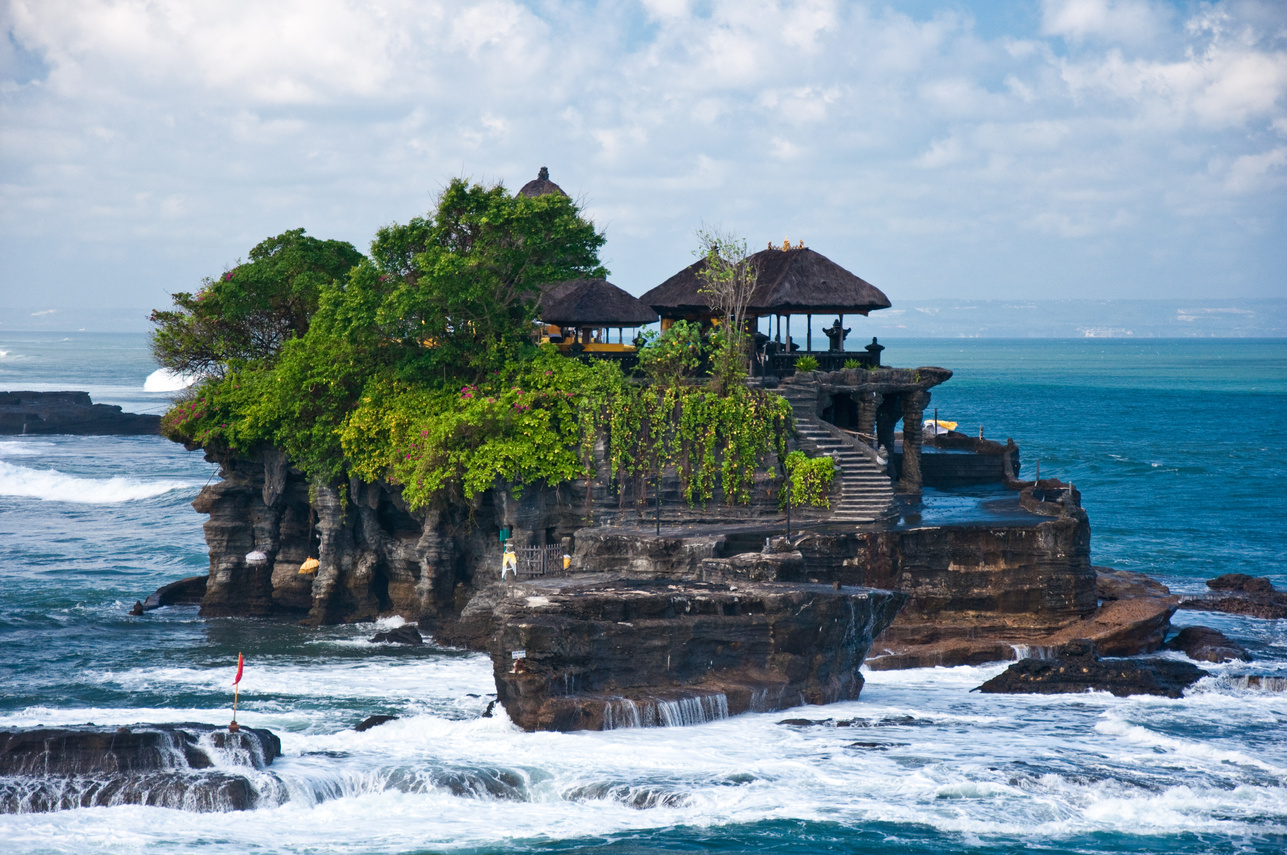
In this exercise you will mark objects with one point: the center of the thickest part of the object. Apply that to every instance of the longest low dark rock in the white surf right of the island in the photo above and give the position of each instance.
(1078, 669)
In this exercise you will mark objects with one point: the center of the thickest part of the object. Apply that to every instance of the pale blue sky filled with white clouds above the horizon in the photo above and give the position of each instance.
(1002, 150)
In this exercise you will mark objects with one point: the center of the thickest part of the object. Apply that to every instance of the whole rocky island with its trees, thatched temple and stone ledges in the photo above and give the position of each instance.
(705, 522)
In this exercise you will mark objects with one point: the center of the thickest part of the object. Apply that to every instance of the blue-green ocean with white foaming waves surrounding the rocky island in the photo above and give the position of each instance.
(1177, 447)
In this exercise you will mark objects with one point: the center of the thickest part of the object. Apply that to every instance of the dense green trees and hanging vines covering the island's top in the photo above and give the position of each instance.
(418, 365)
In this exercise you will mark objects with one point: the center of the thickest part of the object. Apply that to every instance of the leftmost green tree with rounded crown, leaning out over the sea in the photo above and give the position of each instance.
(249, 314)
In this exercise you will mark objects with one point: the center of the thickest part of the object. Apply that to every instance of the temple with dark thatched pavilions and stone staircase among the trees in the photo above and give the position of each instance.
(846, 406)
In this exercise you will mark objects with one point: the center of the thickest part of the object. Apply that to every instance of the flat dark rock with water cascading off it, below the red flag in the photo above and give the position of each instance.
(160, 766)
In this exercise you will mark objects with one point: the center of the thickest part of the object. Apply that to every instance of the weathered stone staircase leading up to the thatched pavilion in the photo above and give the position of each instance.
(867, 494)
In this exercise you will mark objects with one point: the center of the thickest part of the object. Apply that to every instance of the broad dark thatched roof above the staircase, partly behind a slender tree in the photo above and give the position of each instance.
(791, 283)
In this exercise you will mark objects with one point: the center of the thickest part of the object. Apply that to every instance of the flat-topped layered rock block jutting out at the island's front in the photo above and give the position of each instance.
(611, 653)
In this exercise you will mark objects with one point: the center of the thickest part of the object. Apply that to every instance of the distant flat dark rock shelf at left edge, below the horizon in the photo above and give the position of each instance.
(69, 413)
